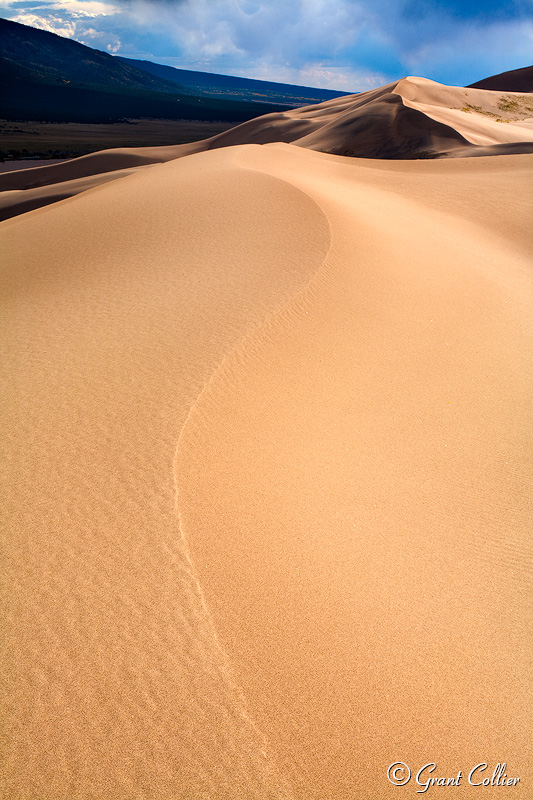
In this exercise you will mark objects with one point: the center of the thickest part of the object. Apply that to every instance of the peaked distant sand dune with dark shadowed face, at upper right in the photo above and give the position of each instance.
(412, 118)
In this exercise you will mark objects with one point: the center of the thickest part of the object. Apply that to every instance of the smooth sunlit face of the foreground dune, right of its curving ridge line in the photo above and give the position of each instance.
(353, 486)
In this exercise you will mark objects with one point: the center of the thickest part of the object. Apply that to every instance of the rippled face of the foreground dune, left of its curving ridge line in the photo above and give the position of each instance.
(118, 305)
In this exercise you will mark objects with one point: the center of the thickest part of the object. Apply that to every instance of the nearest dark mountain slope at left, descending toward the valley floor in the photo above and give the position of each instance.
(50, 78)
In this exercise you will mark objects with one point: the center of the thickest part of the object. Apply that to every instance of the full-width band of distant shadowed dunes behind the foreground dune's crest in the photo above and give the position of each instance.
(414, 118)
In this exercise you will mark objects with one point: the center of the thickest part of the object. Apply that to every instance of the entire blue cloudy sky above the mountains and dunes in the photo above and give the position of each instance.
(349, 45)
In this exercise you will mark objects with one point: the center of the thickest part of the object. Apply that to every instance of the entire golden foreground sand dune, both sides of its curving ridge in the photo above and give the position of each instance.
(266, 478)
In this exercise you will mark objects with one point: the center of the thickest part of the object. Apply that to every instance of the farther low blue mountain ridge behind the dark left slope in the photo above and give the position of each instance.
(212, 85)
